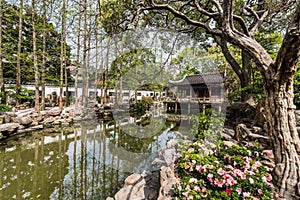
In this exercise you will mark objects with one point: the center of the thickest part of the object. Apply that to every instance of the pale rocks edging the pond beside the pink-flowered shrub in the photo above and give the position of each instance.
(156, 184)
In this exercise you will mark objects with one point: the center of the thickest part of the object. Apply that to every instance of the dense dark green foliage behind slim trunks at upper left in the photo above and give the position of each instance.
(10, 42)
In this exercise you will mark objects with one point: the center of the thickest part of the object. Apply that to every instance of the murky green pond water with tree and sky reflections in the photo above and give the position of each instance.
(87, 161)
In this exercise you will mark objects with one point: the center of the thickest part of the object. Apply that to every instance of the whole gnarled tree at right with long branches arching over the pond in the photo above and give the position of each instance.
(235, 22)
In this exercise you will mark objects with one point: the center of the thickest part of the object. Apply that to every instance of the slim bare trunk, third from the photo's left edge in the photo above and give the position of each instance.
(35, 61)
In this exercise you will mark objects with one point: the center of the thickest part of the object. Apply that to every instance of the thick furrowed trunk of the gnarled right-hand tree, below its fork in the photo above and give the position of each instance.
(282, 130)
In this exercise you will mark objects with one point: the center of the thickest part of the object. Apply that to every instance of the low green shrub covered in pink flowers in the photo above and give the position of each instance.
(230, 173)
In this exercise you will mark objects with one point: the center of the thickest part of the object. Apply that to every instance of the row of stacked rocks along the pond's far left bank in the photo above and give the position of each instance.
(29, 120)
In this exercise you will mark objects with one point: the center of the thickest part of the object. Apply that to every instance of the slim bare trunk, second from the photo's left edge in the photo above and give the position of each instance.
(18, 81)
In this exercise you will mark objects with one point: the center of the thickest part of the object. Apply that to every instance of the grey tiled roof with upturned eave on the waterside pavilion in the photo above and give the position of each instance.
(212, 78)
